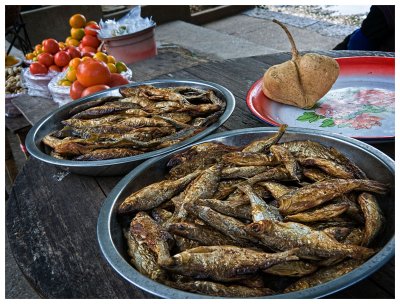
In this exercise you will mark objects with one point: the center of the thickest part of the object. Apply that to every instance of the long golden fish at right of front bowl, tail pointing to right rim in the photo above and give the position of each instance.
(315, 194)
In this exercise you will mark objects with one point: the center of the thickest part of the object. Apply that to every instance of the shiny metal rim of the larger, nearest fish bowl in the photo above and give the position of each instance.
(127, 271)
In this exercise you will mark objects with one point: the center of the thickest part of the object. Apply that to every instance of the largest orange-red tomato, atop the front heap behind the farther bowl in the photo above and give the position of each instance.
(91, 72)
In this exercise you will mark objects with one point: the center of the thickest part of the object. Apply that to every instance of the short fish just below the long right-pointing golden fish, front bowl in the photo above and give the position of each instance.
(318, 214)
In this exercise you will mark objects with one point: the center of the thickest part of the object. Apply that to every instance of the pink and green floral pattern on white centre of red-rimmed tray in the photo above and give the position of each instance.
(351, 107)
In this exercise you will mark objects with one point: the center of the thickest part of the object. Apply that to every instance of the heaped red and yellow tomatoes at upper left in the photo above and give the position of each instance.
(87, 70)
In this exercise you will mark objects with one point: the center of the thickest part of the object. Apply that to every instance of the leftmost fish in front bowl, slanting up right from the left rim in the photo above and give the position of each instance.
(153, 195)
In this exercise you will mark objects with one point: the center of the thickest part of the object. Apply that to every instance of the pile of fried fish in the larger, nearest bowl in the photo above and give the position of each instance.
(252, 221)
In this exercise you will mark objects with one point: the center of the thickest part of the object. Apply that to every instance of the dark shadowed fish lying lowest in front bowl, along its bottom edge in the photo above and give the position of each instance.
(221, 290)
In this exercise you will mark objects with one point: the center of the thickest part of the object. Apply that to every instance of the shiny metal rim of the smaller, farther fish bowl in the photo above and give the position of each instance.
(34, 150)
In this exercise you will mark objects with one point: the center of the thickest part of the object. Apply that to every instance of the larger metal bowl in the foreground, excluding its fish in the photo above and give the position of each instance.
(376, 165)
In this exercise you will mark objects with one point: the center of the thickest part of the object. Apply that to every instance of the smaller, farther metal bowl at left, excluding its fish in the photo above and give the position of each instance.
(123, 165)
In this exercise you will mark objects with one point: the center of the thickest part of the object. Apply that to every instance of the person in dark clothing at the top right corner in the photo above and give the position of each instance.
(376, 32)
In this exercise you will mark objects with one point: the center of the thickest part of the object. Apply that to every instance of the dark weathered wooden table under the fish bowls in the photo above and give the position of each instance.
(51, 216)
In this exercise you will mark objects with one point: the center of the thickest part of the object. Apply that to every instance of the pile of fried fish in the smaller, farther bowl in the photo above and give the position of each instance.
(144, 119)
